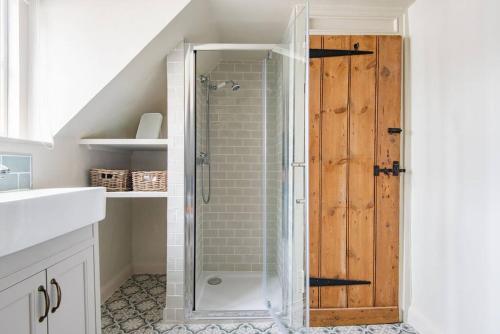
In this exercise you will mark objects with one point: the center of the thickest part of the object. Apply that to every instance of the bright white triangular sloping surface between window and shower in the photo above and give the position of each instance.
(85, 44)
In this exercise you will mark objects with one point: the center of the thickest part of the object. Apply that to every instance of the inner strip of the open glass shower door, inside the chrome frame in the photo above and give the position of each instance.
(274, 196)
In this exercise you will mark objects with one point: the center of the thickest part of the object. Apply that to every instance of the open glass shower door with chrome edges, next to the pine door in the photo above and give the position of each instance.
(285, 188)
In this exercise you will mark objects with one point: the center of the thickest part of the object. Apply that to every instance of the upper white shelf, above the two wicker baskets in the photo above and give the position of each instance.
(126, 144)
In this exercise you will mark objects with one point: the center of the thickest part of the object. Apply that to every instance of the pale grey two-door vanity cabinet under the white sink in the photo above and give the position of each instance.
(58, 294)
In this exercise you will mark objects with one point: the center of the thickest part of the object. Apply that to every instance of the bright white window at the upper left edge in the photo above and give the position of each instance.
(16, 75)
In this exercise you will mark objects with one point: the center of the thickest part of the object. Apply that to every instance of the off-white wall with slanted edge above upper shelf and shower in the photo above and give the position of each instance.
(141, 86)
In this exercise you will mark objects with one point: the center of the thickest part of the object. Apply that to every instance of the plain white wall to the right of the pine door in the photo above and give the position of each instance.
(455, 222)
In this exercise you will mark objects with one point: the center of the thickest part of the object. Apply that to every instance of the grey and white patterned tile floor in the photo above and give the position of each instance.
(137, 308)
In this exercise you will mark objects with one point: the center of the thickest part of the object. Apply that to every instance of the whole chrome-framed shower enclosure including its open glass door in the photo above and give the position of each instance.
(246, 180)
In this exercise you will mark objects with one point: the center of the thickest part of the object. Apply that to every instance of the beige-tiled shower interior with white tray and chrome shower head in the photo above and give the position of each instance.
(232, 100)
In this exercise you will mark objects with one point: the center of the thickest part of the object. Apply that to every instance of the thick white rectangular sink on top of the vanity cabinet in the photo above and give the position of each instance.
(30, 217)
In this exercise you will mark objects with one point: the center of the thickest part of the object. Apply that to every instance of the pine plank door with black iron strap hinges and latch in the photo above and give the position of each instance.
(353, 214)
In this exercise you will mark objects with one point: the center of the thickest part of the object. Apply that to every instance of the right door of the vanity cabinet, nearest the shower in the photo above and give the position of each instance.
(71, 287)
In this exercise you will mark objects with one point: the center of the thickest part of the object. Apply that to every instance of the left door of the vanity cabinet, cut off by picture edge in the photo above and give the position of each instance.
(22, 305)
